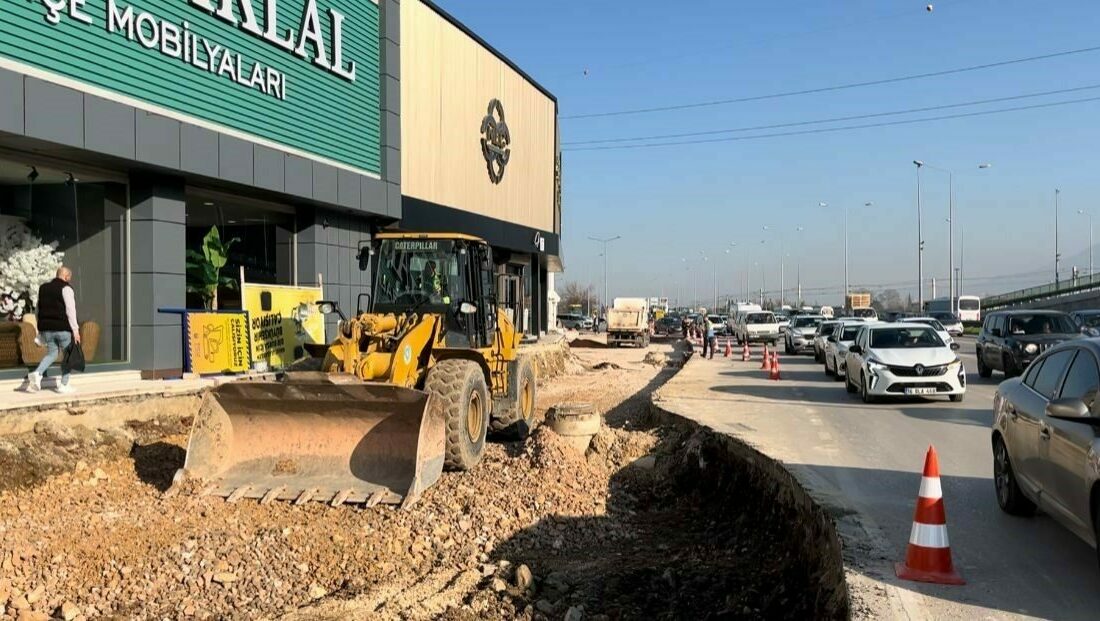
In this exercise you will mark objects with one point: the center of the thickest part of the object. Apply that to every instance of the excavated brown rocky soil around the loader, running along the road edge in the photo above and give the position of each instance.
(635, 528)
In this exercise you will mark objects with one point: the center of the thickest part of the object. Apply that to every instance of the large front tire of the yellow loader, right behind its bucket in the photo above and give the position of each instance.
(459, 386)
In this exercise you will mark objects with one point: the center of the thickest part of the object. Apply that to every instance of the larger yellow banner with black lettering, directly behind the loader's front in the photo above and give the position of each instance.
(282, 320)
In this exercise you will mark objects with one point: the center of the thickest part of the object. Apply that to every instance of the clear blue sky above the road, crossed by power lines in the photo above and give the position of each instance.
(675, 203)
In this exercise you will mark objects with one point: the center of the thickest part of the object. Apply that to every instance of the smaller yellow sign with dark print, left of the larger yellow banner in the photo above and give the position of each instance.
(217, 342)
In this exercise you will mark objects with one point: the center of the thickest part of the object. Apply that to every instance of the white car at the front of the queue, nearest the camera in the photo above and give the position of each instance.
(904, 359)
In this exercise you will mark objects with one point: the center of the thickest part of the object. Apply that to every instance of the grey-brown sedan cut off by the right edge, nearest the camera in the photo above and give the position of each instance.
(1046, 441)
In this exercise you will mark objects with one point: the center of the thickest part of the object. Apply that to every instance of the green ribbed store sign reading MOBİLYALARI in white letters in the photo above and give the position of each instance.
(303, 74)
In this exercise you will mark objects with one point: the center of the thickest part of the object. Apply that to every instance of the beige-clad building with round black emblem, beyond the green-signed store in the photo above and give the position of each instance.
(480, 154)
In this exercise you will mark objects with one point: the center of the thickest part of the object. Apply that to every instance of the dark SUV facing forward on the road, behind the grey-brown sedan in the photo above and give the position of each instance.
(1010, 340)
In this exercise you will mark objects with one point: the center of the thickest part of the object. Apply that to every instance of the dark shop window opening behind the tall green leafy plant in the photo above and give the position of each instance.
(260, 238)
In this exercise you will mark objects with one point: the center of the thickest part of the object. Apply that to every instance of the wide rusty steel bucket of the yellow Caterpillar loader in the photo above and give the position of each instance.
(315, 438)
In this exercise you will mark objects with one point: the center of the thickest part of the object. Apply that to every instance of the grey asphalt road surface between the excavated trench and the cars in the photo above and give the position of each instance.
(870, 460)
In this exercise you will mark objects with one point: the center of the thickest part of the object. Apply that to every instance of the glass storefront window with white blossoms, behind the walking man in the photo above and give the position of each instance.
(50, 216)
